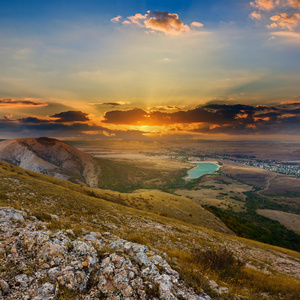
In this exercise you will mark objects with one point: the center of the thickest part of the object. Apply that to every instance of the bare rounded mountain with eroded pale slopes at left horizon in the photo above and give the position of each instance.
(51, 157)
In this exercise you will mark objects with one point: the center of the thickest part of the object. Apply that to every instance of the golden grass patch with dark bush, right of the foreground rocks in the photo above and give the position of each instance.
(239, 278)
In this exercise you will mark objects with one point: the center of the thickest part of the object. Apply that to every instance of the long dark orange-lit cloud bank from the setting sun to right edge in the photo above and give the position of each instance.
(217, 118)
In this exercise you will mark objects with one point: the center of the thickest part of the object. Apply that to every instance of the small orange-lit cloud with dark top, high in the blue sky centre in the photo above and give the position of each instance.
(161, 21)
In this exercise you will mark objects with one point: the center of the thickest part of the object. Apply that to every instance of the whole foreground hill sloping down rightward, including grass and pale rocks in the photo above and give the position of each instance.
(223, 265)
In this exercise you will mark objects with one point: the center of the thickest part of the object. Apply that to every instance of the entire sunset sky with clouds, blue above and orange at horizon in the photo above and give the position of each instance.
(95, 69)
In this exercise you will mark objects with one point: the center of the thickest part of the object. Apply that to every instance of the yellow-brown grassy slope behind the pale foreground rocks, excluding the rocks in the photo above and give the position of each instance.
(269, 269)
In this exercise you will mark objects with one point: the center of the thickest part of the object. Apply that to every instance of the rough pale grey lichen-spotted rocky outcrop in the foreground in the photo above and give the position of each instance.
(37, 263)
